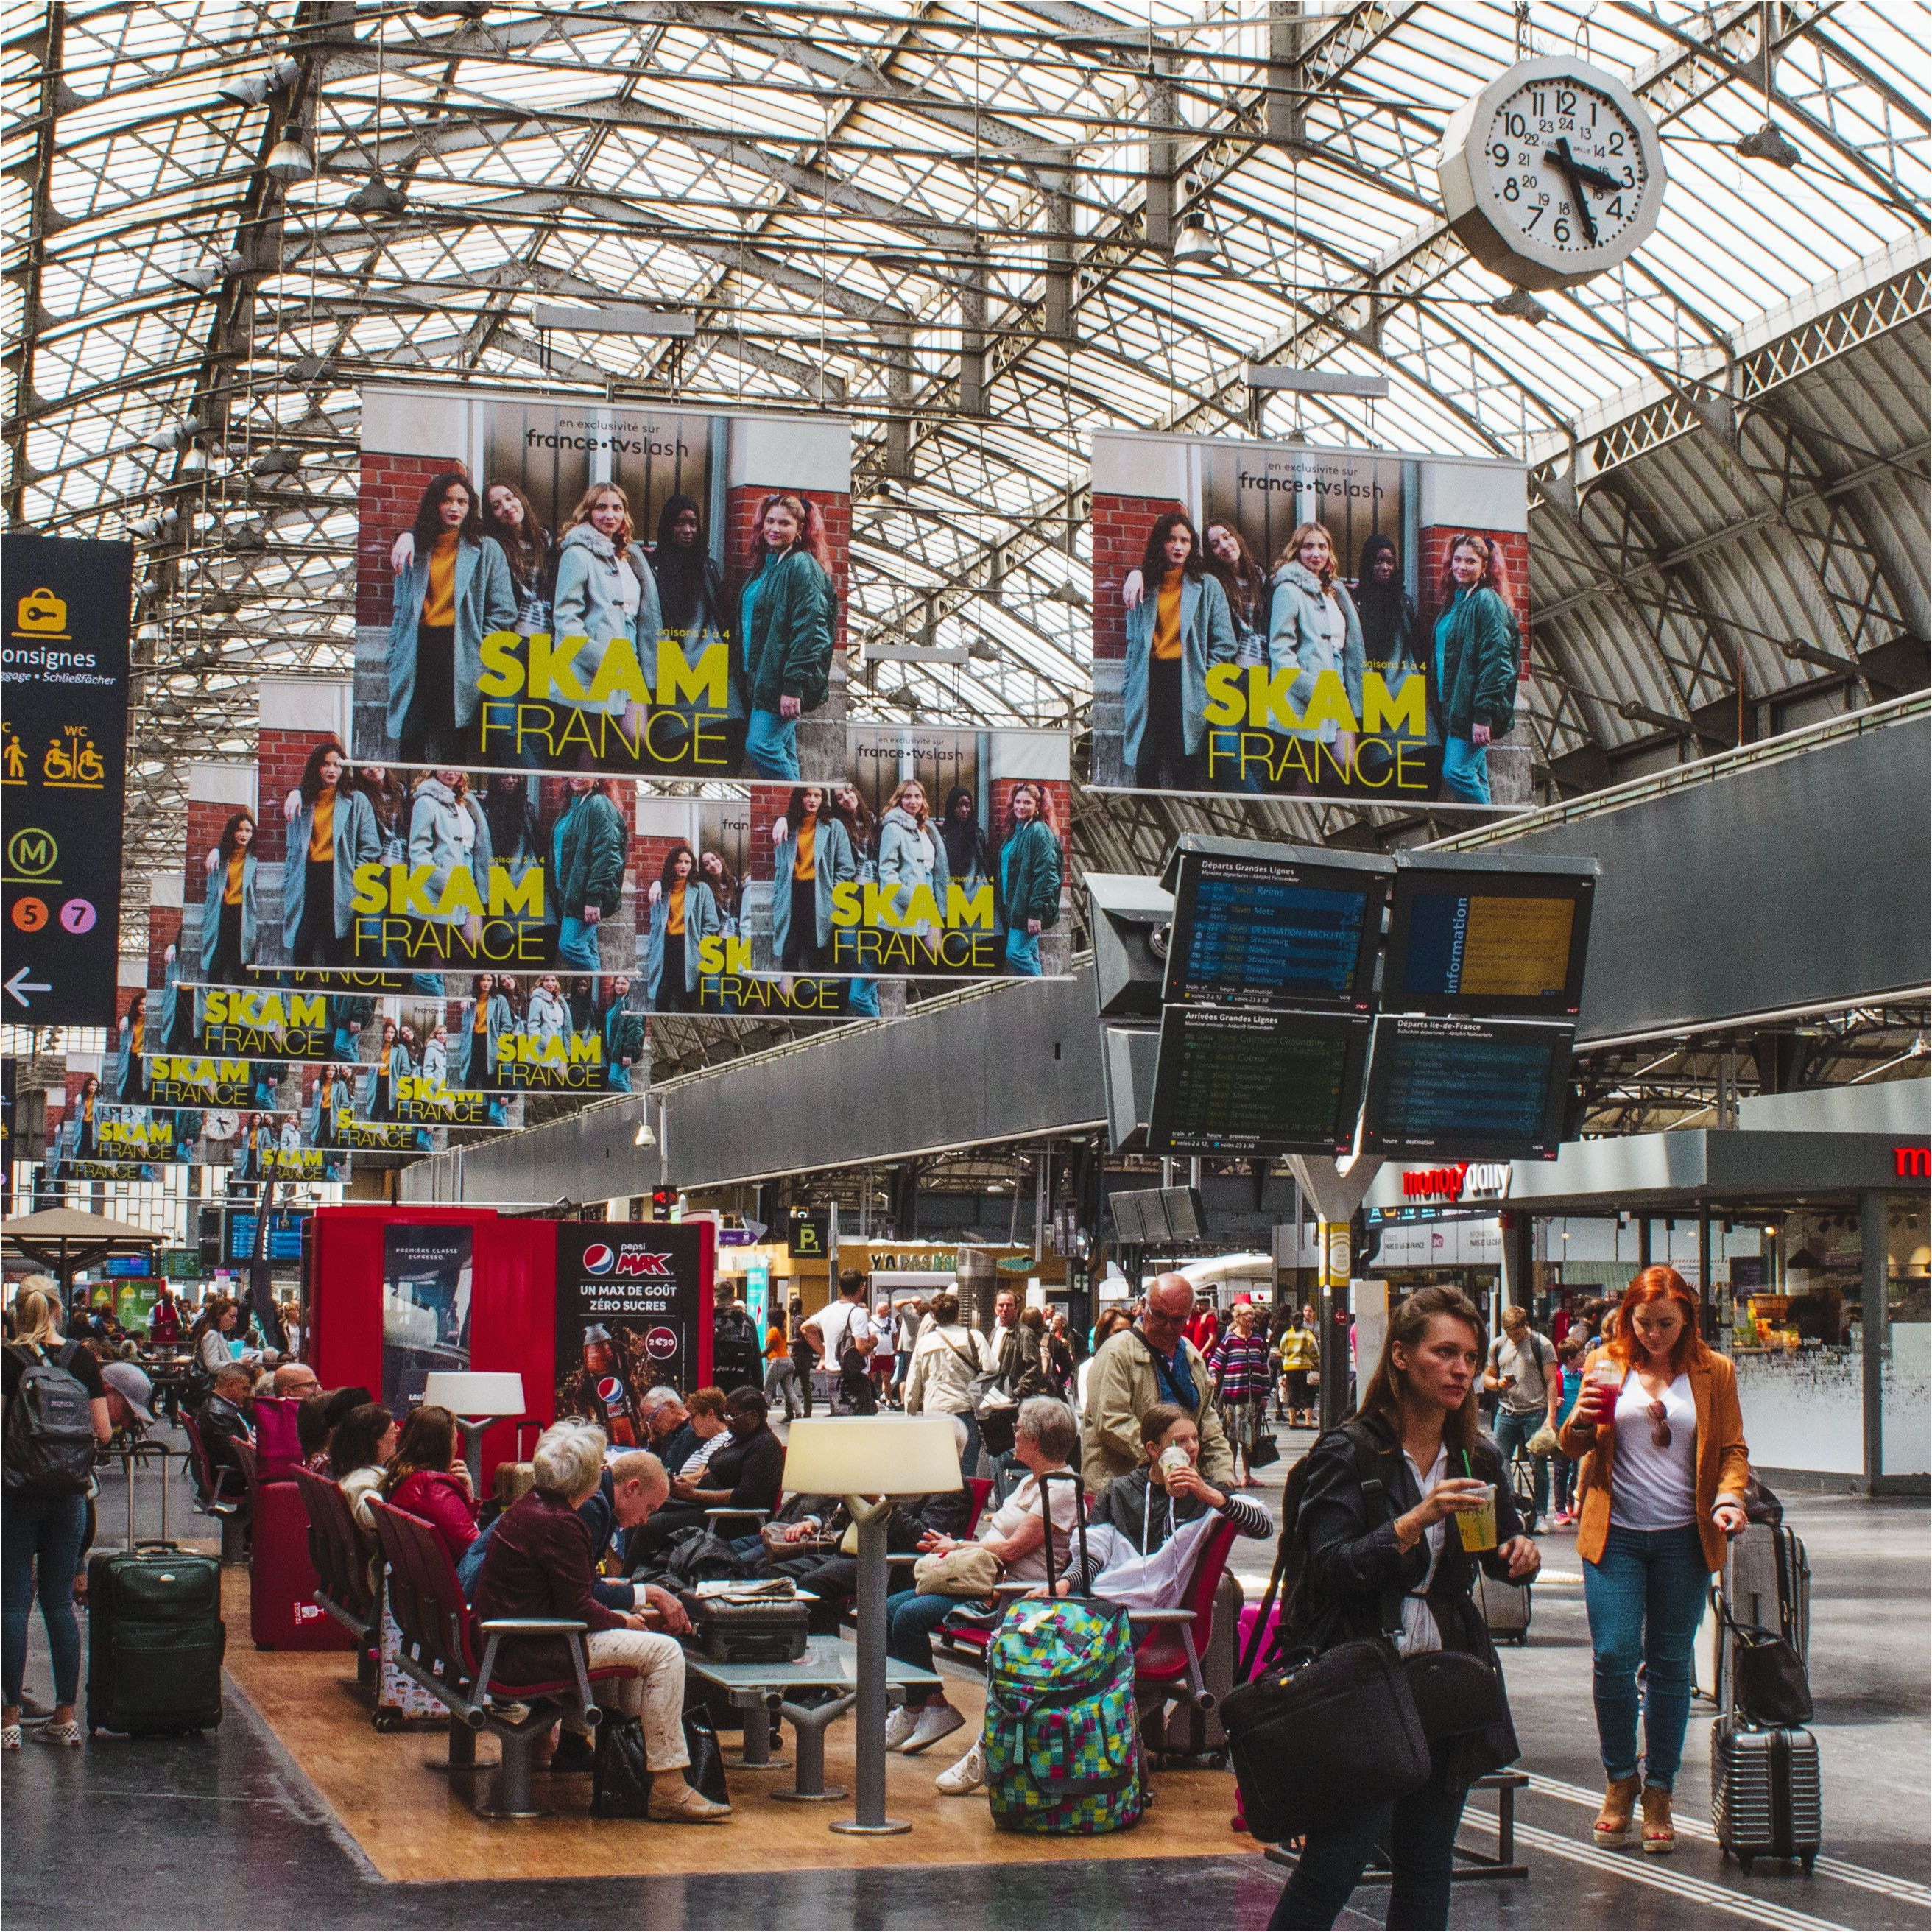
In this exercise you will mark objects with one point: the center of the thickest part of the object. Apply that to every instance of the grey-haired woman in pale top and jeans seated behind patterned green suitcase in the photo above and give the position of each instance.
(1046, 1440)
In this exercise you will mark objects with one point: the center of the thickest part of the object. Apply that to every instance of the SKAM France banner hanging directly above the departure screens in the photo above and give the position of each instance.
(1309, 623)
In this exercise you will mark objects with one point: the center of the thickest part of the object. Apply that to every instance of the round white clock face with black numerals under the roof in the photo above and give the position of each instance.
(1566, 167)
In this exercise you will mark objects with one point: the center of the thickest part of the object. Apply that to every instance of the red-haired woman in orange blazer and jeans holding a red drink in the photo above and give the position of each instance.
(1662, 1483)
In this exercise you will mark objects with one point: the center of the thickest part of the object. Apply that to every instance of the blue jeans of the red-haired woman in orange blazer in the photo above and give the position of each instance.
(1645, 1599)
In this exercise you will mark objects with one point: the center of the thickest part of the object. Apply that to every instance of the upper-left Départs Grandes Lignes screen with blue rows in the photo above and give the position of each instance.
(1263, 932)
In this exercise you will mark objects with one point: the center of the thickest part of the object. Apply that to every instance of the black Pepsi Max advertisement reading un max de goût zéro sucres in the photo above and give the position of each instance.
(633, 1313)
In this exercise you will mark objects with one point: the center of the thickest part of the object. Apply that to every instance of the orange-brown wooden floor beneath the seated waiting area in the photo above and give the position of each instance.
(412, 1827)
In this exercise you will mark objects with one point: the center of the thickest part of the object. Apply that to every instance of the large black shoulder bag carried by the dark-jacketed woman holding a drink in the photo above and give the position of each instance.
(1324, 1740)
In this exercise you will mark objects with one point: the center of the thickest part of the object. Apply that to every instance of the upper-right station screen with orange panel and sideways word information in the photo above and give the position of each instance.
(1489, 942)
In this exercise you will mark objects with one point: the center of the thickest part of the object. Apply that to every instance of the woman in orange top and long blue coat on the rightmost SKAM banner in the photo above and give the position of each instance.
(1174, 635)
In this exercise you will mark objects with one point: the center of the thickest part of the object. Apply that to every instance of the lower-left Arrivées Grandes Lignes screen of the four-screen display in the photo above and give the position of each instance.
(1257, 1083)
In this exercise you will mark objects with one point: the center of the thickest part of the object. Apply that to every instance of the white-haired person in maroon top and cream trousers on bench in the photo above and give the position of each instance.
(540, 1566)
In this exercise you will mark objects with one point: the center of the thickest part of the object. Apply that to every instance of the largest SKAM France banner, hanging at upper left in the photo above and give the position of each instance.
(569, 586)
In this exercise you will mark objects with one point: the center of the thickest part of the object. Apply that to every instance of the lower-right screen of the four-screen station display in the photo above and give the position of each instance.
(1477, 1091)
